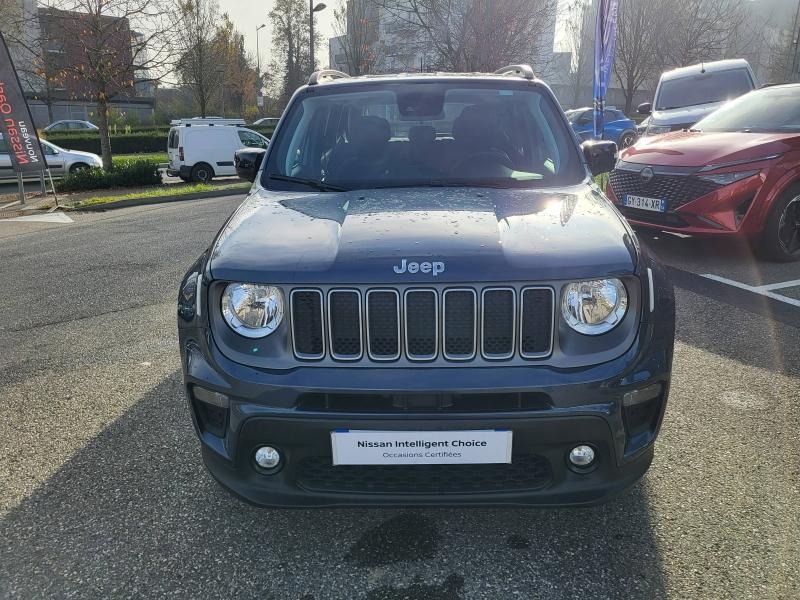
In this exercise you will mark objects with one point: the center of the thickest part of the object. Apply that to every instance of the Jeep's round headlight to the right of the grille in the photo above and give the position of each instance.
(594, 307)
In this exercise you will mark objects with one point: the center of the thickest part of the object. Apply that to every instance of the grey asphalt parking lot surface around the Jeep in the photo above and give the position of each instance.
(103, 493)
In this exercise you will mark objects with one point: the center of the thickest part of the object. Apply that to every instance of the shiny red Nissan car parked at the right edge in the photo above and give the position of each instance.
(735, 173)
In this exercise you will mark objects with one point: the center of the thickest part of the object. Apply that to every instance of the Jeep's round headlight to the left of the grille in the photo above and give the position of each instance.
(252, 310)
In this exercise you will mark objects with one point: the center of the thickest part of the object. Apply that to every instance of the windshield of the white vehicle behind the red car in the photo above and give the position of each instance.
(703, 88)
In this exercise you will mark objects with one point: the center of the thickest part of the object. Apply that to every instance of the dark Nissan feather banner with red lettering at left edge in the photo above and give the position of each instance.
(16, 122)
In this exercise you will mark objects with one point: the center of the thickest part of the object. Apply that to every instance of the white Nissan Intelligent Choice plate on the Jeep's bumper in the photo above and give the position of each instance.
(421, 447)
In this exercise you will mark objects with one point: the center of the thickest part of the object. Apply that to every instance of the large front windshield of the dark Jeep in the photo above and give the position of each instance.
(423, 134)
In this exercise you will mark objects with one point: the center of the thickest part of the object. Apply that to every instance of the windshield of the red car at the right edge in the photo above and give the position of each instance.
(771, 110)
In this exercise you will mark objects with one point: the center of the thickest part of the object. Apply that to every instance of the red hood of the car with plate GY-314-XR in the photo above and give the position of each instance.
(698, 148)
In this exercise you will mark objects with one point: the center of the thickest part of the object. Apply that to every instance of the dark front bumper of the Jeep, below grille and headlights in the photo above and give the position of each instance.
(583, 406)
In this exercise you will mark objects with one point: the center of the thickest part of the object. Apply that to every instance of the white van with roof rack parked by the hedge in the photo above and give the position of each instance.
(201, 149)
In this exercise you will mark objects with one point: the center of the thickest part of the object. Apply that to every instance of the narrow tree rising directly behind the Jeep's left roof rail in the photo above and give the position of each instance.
(355, 22)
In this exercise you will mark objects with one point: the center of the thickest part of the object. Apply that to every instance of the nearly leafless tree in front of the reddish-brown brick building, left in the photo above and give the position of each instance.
(111, 46)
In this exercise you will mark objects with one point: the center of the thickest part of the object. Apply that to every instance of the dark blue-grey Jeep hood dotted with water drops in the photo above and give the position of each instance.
(364, 236)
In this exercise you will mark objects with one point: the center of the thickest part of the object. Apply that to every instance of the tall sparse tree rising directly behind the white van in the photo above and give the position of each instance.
(198, 64)
